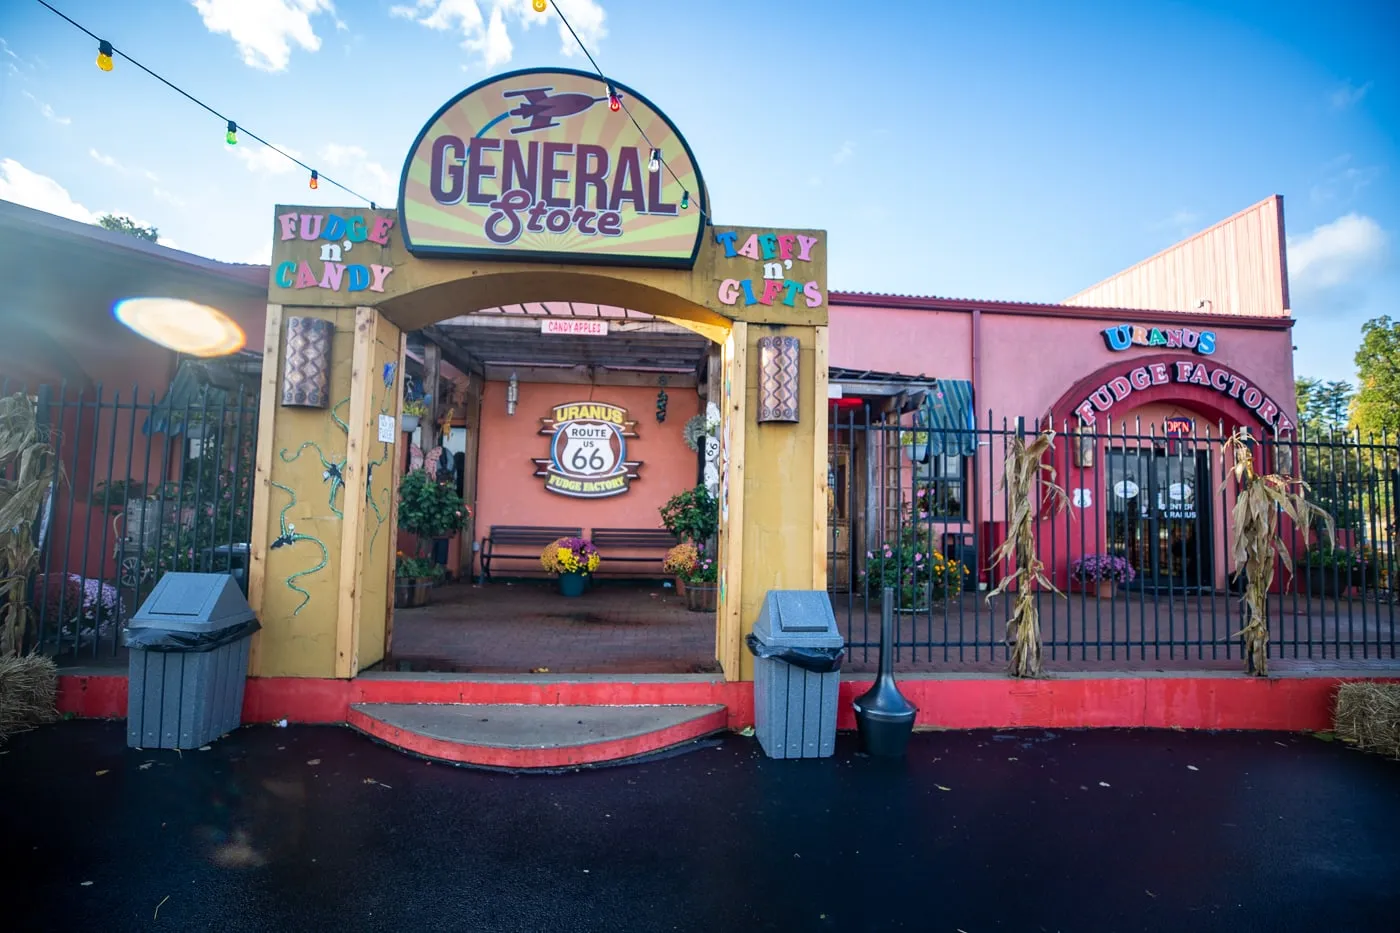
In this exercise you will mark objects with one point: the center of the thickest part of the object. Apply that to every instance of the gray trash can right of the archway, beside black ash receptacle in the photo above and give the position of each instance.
(797, 662)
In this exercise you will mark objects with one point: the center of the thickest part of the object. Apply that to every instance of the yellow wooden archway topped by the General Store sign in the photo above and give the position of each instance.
(516, 216)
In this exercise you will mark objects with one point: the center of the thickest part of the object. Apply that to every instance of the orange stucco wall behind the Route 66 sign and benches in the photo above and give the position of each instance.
(509, 494)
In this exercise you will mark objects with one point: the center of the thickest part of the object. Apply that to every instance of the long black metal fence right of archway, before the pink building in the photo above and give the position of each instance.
(1139, 554)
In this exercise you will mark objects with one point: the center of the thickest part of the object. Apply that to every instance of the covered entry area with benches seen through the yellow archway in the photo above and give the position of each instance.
(563, 420)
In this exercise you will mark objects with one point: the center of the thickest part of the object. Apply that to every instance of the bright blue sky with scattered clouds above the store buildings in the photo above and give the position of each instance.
(995, 151)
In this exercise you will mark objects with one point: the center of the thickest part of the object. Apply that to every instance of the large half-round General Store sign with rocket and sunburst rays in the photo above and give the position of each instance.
(549, 165)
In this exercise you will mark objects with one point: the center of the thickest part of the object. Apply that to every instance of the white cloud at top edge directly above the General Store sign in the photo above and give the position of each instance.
(489, 36)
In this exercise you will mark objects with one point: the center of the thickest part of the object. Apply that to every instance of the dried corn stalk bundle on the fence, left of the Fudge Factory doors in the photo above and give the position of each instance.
(1027, 481)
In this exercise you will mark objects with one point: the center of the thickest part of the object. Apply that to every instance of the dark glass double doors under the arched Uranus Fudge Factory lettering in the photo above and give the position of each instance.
(1160, 516)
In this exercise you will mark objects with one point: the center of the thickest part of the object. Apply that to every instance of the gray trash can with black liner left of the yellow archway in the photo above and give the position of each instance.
(188, 662)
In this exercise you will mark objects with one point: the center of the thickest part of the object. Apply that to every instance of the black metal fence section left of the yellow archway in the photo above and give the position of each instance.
(149, 487)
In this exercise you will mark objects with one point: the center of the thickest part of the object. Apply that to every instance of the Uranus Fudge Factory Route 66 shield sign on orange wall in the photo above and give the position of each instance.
(587, 450)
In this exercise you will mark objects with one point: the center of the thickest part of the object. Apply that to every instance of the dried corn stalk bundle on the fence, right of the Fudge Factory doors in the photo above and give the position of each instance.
(1255, 543)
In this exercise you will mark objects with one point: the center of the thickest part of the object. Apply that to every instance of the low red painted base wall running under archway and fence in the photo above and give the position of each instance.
(1291, 704)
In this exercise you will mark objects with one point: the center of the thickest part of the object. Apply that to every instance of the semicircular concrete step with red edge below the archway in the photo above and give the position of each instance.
(534, 736)
